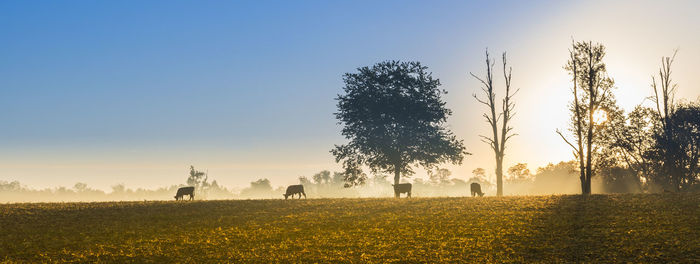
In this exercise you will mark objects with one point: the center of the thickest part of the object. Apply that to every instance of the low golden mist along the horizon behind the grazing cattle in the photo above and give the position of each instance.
(560, 178)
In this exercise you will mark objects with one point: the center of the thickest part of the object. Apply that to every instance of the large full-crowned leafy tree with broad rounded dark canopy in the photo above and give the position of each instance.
(394, 116)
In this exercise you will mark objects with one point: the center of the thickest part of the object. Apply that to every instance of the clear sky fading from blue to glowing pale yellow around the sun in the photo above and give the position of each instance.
(134, 92)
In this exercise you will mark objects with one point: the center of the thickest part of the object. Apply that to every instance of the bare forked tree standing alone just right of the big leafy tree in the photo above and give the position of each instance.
(497, 141)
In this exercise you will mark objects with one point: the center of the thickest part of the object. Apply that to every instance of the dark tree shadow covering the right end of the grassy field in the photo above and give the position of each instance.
(616, 228)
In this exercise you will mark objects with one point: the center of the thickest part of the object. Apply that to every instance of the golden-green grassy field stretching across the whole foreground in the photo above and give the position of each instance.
(599, 228)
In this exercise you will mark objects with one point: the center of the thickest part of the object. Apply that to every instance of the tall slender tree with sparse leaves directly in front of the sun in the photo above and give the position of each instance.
(593, 96)
